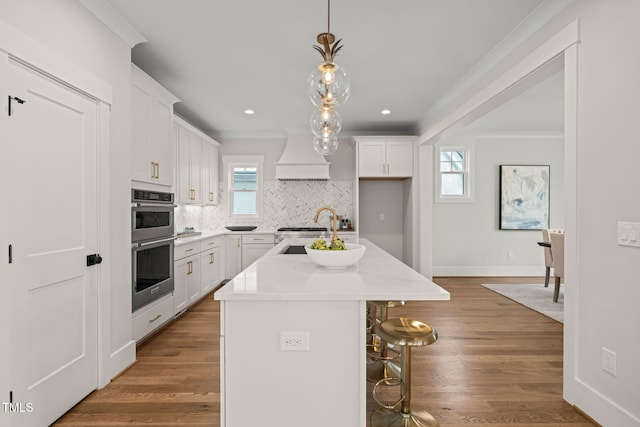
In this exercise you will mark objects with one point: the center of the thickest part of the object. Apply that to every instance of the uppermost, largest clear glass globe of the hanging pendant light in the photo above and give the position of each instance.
(328, 85)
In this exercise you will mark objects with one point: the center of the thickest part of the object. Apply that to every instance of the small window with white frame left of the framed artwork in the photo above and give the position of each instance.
(453, 177)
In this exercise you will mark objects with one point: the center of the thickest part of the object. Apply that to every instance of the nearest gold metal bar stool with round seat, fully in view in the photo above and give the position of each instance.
(405, 333)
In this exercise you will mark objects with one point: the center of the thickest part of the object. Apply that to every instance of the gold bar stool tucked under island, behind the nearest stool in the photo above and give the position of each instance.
(380, 364)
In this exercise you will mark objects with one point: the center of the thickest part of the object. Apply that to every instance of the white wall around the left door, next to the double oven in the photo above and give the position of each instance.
(69, 31)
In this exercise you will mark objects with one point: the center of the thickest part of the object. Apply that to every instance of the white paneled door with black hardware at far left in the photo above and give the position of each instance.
(52, 209)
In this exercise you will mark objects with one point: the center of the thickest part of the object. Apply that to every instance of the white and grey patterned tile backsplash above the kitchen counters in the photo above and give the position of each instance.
(286, 204)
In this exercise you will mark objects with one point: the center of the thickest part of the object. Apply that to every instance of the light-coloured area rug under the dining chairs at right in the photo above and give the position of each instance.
(535, 297)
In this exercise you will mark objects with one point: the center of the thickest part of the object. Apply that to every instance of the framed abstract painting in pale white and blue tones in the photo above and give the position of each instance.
(524, 197)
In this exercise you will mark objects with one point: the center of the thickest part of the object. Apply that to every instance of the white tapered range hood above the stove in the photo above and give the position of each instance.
(300, 161)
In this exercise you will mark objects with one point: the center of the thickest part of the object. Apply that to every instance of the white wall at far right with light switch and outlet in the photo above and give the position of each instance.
(602, 292)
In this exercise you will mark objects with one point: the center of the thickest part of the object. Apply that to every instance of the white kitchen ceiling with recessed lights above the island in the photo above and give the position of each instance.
(221, 58)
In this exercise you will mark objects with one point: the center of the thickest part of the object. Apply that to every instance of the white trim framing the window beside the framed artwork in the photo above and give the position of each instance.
(469, 158)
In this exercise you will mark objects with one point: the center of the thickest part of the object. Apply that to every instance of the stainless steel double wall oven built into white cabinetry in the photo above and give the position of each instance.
(152, 240)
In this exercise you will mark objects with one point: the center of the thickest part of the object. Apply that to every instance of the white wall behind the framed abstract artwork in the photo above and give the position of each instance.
(467, 235)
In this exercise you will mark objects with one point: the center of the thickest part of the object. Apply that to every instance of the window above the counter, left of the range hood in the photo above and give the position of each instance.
(244, 177)
